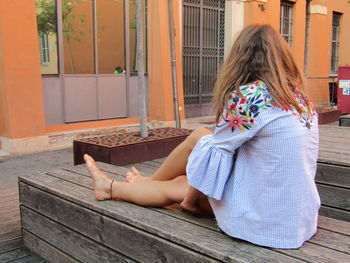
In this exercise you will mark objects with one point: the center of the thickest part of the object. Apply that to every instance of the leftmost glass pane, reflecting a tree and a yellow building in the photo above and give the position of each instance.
(47, 29)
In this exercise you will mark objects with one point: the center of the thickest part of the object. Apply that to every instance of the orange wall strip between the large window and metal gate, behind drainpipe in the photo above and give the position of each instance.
(159, 63)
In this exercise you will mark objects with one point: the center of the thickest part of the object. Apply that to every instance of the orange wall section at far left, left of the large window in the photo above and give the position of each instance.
(22, 108)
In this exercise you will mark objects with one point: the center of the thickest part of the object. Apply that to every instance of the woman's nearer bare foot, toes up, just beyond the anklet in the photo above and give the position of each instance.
(102, 184)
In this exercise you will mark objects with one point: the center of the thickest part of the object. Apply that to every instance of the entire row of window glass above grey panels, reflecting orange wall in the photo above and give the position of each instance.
(93, 36)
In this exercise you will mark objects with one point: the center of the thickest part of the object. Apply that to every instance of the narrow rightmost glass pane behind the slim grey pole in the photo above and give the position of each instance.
(132, 35)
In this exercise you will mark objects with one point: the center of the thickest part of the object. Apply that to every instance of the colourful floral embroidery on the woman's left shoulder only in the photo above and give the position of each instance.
(241, 112)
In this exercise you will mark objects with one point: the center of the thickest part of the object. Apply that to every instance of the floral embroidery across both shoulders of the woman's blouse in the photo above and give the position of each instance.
(241, 112)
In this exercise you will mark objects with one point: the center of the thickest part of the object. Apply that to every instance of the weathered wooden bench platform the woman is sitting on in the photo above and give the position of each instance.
(62, 222)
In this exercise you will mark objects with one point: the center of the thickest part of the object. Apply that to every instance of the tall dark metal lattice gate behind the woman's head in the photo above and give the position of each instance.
(203, 52)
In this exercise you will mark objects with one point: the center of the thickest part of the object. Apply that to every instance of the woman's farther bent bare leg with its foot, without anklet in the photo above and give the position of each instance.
(175, 164)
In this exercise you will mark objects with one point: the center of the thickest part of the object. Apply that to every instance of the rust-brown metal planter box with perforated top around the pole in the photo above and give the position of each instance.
(127, 148)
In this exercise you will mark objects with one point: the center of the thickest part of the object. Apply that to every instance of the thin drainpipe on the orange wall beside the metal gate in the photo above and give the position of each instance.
(173, 65)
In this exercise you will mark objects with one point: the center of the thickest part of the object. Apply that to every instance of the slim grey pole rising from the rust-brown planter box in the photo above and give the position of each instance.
(141, 77)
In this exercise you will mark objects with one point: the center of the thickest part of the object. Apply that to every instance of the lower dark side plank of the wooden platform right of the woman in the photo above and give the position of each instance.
(334, 196)
